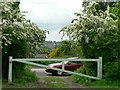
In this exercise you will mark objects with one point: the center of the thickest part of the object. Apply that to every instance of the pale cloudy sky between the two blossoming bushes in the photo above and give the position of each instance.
(51, 15)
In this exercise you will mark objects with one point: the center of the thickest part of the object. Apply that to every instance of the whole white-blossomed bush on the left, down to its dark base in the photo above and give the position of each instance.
(20, 37)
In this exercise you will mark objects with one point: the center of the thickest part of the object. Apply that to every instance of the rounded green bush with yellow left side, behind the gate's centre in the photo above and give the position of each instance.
(66, 49)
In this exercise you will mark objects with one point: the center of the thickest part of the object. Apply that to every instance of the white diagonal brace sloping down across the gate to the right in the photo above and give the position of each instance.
(40, 65)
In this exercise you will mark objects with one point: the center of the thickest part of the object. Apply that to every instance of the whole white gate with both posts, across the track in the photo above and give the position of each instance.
(27, 61)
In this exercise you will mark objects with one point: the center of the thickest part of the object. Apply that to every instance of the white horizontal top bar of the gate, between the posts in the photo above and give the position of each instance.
(31, 59)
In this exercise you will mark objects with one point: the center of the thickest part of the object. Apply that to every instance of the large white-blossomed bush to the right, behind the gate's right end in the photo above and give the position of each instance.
(98, 35)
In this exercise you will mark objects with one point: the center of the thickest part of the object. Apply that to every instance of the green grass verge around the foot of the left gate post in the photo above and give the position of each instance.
(25, 80)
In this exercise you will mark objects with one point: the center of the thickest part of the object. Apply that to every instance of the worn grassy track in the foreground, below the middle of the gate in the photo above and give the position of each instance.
(65, 82)
